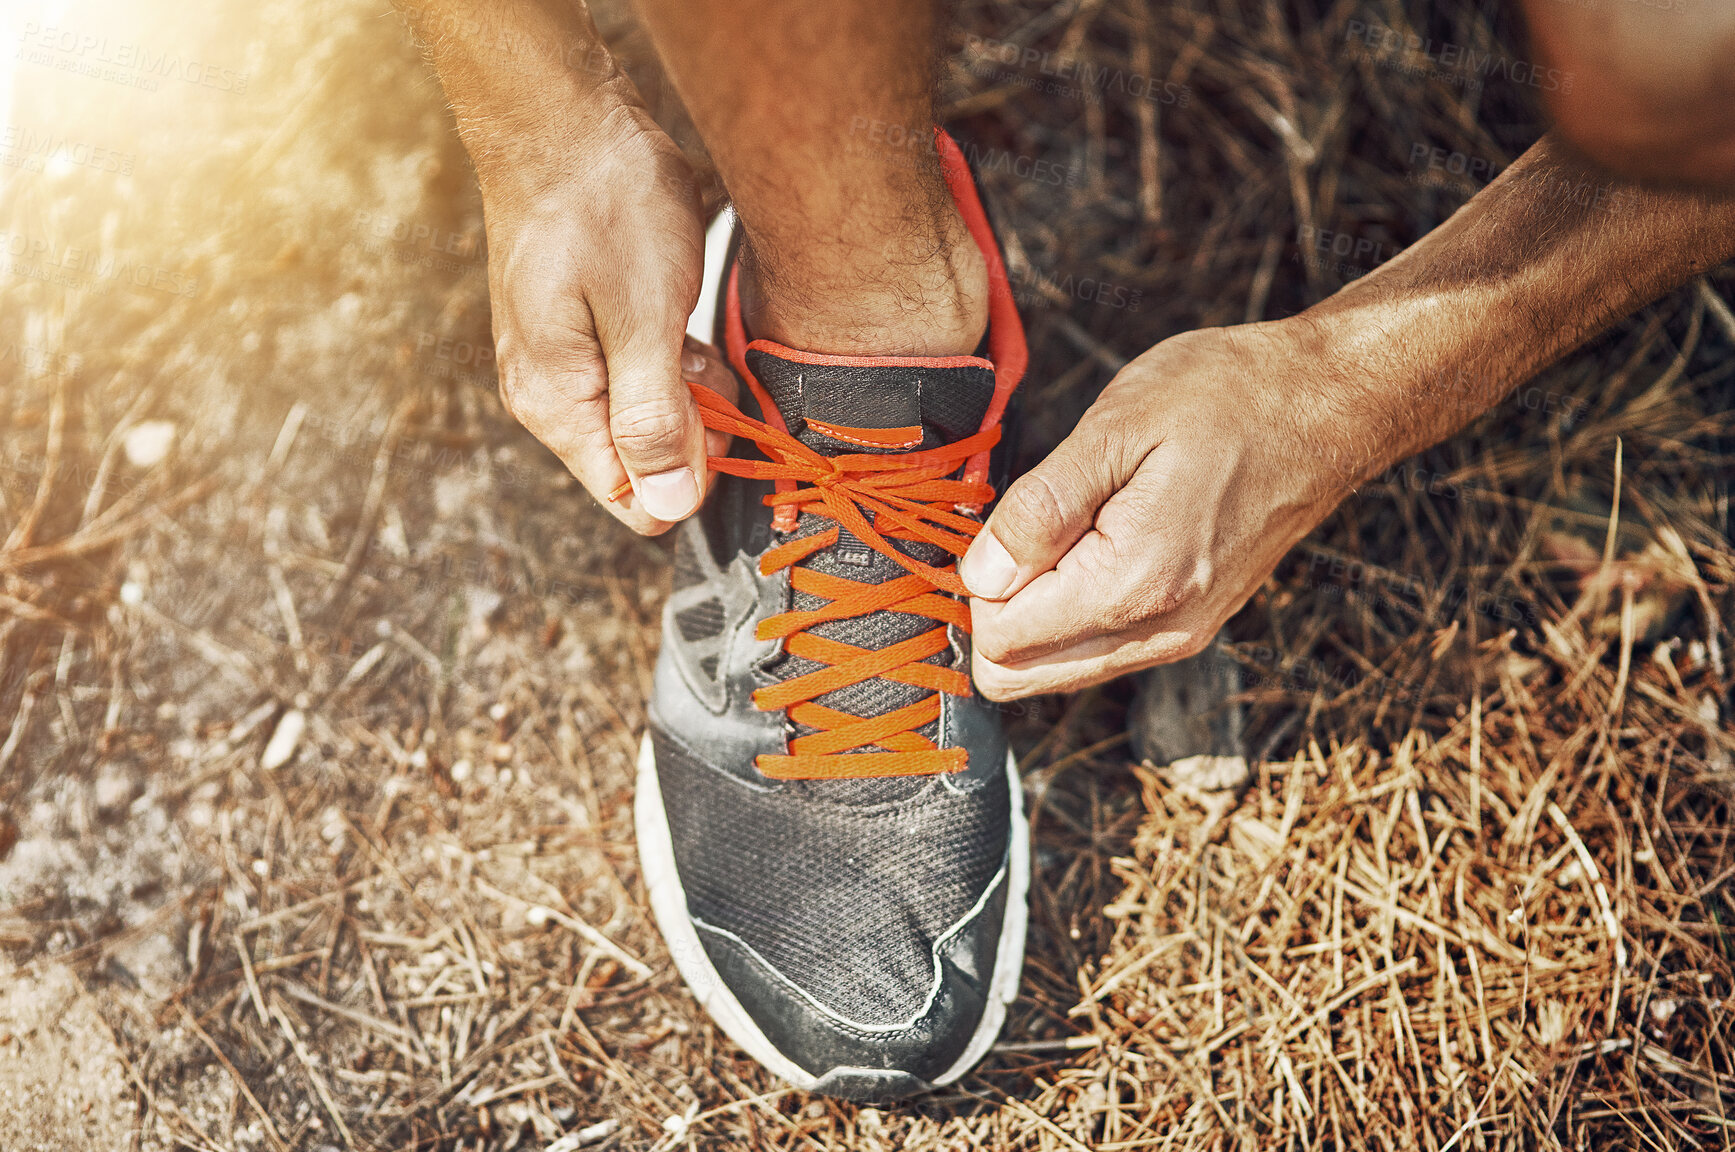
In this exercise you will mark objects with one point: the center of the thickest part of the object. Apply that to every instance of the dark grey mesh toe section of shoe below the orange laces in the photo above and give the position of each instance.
(848, 903)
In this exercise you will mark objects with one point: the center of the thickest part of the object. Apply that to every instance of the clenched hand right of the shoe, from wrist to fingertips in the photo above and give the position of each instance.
(1179, 492)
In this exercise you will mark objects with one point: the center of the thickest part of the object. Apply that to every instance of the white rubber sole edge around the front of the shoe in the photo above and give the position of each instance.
(669, 905)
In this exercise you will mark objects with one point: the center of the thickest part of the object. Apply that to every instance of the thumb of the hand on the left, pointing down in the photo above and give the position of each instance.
(653, 422)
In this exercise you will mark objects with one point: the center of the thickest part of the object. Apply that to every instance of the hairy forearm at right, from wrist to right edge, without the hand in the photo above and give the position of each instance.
(1531, 268)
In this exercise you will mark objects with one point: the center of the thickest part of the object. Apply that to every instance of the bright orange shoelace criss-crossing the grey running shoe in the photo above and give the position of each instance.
(910, 499)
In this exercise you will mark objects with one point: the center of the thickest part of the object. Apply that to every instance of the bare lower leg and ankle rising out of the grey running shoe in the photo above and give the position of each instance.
(818, 117)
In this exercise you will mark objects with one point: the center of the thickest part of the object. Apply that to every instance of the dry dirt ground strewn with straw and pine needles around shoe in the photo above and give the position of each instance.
(320, 681)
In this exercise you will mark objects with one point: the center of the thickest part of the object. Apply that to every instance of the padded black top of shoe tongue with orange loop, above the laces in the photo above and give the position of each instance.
(875, 405)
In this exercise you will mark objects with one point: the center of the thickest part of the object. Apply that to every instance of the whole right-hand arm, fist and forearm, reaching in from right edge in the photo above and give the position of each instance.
(1219, 450)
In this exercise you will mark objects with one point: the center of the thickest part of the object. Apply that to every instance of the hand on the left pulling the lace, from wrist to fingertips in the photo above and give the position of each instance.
(593, 278)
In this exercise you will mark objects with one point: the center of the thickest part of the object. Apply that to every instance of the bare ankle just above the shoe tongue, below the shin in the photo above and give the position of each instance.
(874, 299)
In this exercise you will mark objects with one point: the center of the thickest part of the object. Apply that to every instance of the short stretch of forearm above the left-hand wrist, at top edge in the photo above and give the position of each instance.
(527, 81)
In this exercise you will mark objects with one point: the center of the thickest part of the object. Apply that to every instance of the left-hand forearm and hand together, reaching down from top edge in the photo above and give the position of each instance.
(596, 252)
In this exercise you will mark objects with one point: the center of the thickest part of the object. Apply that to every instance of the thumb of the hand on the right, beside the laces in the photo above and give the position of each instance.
(1042, 516)
